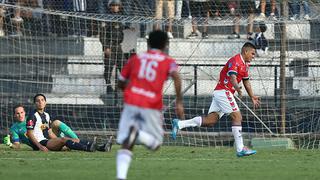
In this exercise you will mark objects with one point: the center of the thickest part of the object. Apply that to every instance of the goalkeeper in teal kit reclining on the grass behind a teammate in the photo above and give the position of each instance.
(18, 131)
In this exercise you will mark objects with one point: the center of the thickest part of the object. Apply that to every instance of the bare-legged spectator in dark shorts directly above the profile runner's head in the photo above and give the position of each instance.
(244, 8)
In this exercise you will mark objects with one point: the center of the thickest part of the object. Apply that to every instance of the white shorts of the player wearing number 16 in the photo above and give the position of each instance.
(147, 120)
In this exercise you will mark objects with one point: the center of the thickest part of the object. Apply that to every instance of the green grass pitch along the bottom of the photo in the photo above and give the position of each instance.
(169, 163)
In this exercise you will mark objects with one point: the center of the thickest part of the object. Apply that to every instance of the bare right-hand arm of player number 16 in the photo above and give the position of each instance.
(179, 103)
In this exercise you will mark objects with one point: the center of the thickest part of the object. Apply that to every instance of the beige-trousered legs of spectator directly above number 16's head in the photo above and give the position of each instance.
(159, 15)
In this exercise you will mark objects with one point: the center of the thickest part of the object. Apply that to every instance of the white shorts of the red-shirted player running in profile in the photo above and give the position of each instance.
(223, 102)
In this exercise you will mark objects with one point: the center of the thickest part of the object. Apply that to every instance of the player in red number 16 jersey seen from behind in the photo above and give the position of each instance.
(142, 80)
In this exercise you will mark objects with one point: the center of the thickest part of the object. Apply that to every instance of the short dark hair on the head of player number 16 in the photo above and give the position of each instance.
(158, 39)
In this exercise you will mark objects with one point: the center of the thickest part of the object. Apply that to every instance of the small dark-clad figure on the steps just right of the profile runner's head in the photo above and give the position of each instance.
(260, 40)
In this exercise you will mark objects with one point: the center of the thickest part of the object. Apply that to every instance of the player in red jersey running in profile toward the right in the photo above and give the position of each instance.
(223, 101)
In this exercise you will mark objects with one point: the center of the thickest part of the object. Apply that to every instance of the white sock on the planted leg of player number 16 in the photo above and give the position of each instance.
(123, 163)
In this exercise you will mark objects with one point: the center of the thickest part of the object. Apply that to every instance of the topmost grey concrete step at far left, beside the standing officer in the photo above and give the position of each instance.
(34, 45)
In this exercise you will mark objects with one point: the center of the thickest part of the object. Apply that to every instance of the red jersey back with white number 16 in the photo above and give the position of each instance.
(147, 73)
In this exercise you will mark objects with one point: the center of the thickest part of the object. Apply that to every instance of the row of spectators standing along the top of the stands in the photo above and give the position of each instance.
(12, 20)
